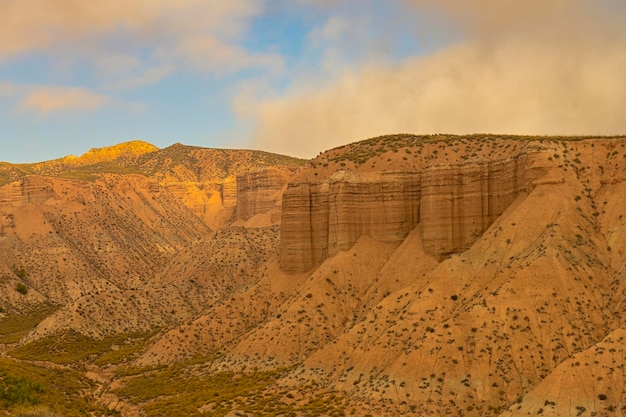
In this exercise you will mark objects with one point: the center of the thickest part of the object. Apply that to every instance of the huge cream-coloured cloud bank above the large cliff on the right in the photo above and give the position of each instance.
(532, 67)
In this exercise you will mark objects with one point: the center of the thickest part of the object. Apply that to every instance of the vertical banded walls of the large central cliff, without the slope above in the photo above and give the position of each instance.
(453, 205)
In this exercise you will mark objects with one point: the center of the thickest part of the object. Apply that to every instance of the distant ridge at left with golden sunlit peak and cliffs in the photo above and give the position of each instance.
(205, 180)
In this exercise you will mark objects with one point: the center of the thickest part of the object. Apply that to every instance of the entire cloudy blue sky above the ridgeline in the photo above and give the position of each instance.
(301, 76)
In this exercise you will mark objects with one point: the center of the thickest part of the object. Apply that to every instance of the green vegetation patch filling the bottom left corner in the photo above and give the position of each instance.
(61, 391)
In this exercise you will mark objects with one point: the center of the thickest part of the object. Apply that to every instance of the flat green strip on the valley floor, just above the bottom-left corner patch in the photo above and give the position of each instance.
(71, 347)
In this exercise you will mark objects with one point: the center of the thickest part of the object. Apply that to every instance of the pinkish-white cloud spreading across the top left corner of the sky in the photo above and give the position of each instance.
(143, 40)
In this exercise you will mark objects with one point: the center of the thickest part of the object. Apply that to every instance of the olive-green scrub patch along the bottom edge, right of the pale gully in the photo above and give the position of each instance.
(182, 390)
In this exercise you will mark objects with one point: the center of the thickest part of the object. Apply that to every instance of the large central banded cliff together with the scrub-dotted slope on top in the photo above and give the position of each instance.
(453, 198)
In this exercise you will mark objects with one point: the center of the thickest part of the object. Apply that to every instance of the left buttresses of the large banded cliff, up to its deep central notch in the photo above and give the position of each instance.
(321, 219)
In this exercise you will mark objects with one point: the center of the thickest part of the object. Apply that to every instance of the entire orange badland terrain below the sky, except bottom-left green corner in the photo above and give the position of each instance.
(437, 275)
